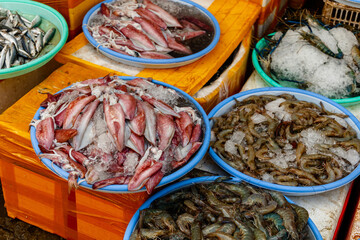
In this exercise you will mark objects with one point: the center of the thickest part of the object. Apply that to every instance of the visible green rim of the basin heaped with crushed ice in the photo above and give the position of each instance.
(271, 82)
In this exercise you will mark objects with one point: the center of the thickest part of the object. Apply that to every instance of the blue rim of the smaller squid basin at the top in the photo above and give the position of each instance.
(159, 62)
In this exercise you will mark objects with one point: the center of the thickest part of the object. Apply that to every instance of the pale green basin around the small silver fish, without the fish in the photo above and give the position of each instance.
(45, 12)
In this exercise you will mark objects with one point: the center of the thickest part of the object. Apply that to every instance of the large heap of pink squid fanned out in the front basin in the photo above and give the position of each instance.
(110, 131)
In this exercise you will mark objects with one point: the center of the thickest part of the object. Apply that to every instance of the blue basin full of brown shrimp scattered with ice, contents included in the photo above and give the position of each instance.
(285, 139)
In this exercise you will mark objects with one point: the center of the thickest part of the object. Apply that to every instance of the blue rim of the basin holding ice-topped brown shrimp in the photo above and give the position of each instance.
(298, 191)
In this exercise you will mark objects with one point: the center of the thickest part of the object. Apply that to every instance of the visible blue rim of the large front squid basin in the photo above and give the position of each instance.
(115, 188)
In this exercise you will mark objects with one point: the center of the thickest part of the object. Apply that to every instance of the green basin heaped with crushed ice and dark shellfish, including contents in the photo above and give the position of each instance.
(314, 57)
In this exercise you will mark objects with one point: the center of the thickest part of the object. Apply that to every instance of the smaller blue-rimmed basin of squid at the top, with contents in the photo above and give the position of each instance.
(151, 34)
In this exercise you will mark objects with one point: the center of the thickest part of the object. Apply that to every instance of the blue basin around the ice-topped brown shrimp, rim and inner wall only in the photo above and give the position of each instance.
(226, 105)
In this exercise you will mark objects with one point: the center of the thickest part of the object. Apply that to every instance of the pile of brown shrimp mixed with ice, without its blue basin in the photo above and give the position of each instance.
(286, 141)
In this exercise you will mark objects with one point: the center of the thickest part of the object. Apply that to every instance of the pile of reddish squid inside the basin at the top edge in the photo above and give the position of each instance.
(146, 30)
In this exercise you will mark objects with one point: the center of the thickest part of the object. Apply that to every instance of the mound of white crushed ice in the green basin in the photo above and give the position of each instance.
(294, 59)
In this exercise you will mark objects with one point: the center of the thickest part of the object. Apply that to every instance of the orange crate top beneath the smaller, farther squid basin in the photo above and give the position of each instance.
(236, 19)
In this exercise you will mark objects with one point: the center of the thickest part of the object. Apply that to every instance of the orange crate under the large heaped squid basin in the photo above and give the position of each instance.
(36, 195)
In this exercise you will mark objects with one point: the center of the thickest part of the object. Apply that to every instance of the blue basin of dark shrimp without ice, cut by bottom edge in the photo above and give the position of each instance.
(214, 208)
